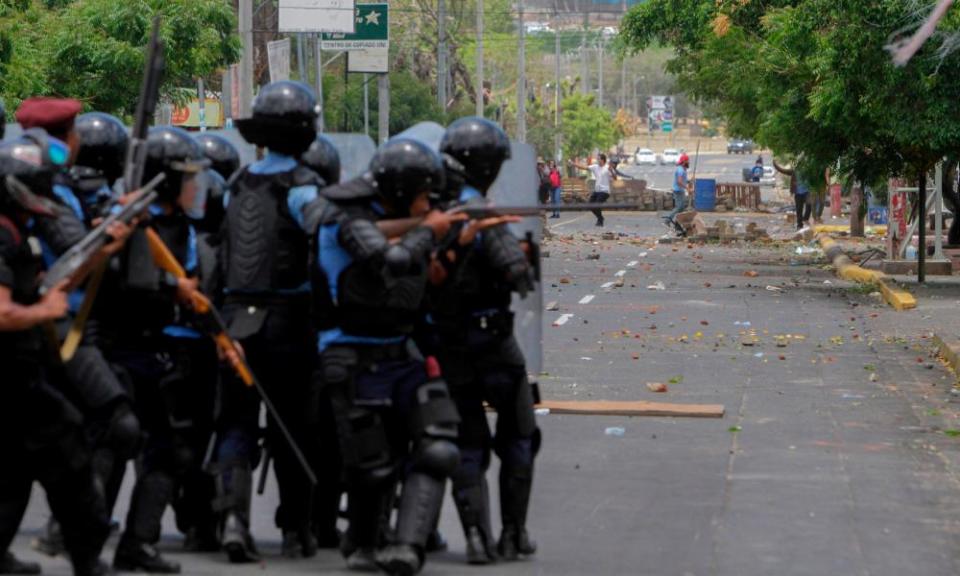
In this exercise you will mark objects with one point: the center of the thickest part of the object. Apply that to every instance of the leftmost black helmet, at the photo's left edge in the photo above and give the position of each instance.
(33, 162)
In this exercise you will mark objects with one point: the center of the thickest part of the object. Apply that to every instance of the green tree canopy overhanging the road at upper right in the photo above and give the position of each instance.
(811, 79)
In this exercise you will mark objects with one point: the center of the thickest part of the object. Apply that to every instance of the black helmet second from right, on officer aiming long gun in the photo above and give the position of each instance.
(403, 169)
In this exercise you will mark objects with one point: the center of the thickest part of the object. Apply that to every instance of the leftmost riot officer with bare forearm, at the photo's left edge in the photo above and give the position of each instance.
(40, 429)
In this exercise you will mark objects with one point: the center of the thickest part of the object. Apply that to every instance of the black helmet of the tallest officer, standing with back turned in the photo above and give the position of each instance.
(284, 118)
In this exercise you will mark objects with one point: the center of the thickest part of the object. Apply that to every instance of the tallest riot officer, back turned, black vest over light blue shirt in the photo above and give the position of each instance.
(263, 259)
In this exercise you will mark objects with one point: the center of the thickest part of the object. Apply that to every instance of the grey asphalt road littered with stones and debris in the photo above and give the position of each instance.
(832, 458)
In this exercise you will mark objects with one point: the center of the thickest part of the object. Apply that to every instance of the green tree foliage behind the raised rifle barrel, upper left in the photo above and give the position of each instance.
(94, 50)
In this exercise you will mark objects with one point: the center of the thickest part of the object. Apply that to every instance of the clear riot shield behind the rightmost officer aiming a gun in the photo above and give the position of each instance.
(517, 185)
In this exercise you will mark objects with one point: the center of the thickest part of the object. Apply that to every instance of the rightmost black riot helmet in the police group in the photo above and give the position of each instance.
(480, 145)
